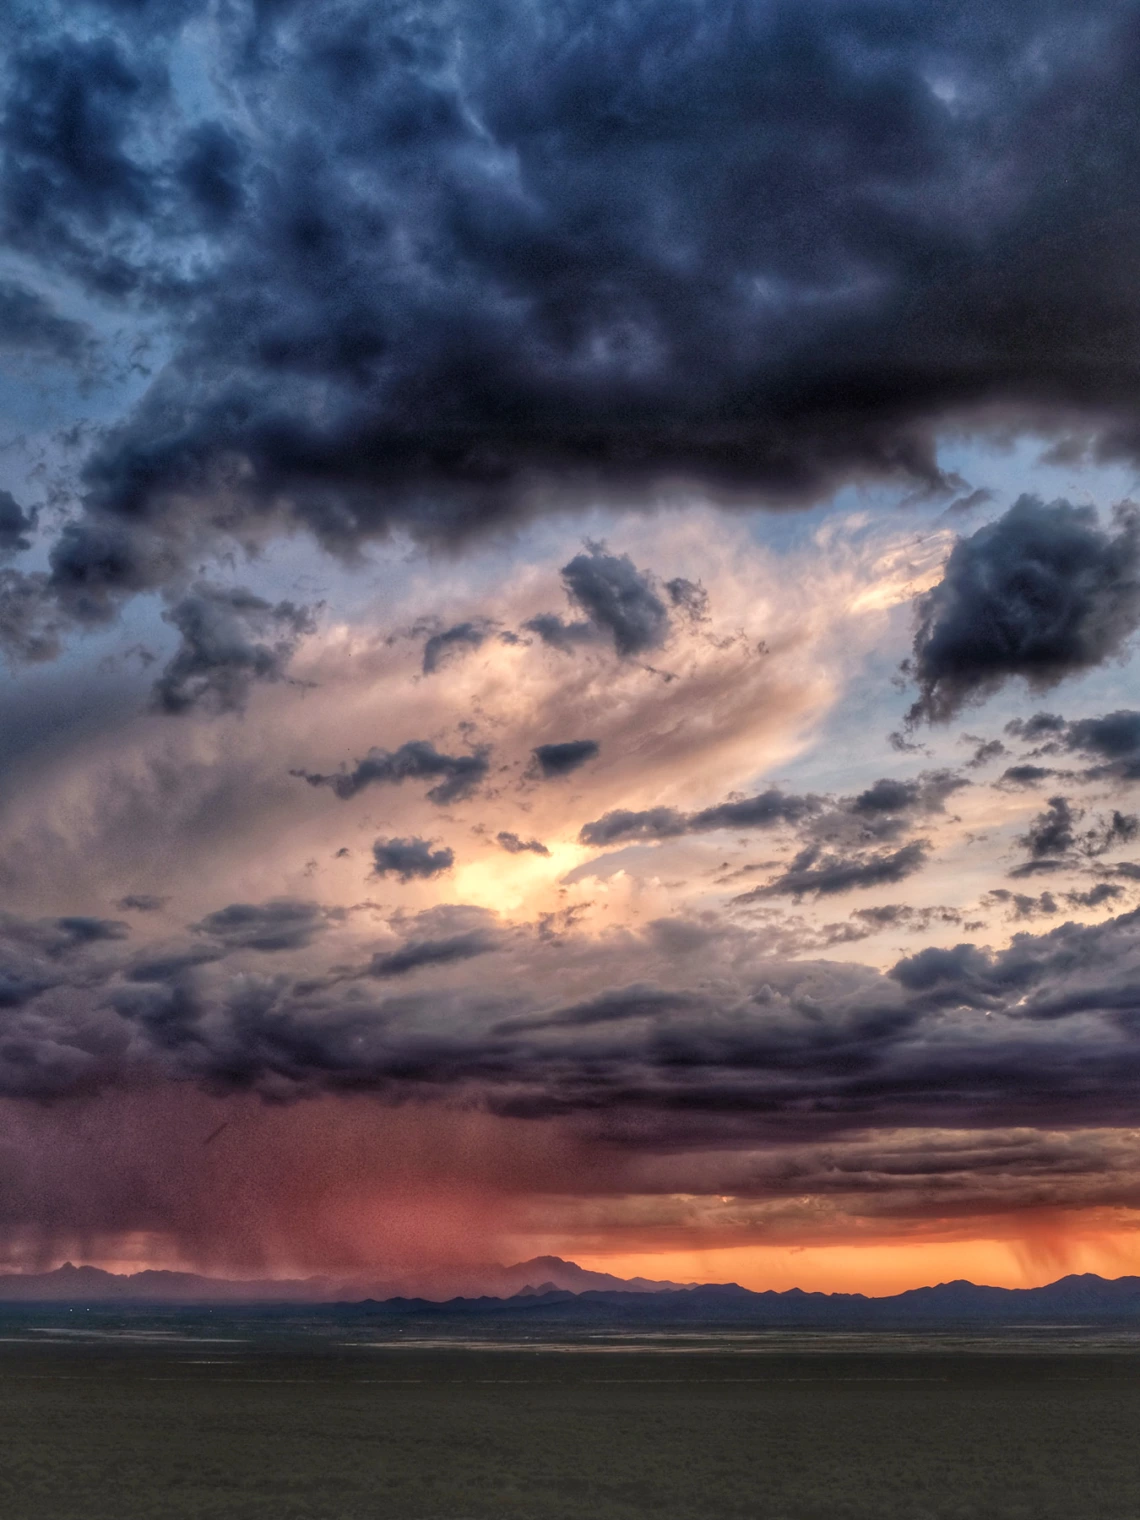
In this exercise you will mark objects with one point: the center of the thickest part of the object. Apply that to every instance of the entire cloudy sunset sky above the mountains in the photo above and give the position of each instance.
(569, 586)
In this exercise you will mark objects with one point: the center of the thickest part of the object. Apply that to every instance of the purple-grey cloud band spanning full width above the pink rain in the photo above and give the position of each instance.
(683, 1019)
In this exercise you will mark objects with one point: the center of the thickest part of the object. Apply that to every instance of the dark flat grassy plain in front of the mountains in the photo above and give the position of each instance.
(147, 1419)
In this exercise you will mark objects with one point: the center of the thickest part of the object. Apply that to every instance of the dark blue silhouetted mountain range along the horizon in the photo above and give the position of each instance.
(1075, 1299)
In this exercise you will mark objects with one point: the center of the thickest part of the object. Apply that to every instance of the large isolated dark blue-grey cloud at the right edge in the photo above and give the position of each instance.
(1042, 594)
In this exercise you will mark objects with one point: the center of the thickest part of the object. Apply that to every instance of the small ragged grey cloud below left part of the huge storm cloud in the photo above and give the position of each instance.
(229, 641)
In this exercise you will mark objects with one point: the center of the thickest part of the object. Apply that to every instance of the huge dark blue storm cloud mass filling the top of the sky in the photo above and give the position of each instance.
(443, 261)
